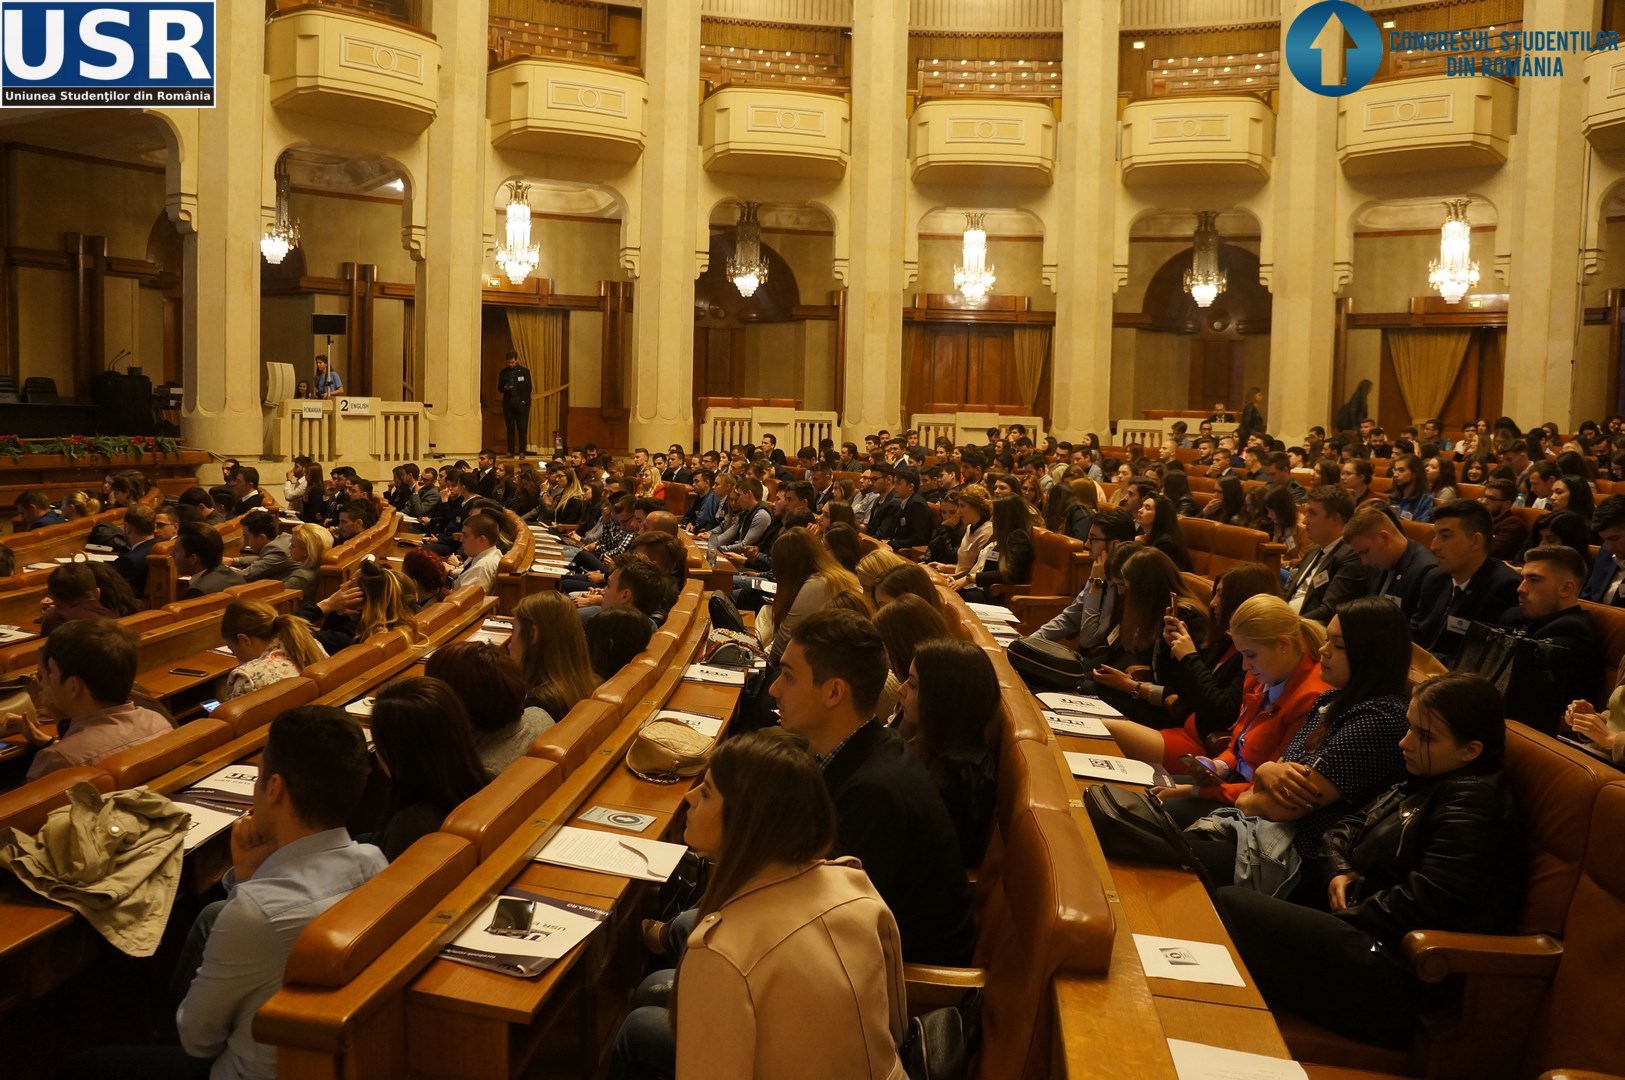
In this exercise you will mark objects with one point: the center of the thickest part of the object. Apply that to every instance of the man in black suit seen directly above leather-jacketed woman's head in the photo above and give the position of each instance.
(1483, 589)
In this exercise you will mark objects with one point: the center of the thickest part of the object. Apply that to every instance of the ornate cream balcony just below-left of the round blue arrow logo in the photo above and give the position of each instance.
(1197, 140)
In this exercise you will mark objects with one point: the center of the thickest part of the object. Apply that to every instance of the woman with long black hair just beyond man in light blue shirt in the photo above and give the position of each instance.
(427, 746)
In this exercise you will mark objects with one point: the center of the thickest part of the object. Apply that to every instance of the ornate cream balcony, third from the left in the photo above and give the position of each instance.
(776, 132)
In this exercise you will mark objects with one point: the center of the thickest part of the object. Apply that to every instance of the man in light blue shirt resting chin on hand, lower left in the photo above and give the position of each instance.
(292, 860)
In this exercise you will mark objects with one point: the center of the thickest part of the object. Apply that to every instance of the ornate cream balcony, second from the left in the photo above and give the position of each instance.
(560, 108)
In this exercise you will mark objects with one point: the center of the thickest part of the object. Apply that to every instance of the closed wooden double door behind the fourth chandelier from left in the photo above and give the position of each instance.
(963, 369)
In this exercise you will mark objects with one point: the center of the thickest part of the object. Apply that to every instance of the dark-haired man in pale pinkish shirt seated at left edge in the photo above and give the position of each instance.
(87, 673)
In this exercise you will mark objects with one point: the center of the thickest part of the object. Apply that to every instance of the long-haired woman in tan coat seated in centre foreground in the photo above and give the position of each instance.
(795, 966)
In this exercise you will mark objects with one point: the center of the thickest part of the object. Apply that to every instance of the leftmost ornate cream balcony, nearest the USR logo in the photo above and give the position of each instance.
(352, 69)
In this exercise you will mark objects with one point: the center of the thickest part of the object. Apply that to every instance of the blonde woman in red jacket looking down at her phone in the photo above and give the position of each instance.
(1281, 659)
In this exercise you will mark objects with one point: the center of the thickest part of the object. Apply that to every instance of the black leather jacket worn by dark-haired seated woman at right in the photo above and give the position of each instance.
(1444, 853)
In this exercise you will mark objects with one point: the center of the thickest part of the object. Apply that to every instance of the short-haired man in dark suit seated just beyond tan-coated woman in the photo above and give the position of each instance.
(888, 808)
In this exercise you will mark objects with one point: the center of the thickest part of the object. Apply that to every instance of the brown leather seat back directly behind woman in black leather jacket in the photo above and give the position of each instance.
(1556, 788)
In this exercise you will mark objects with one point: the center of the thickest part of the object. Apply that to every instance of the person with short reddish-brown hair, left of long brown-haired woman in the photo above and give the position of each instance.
(492, 688)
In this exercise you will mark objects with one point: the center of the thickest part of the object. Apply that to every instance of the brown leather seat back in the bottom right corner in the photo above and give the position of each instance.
(1579, 1024)
